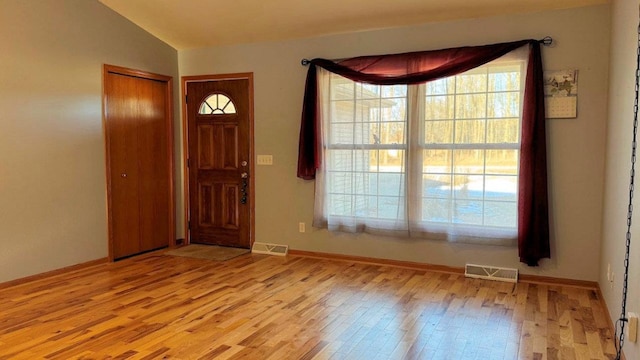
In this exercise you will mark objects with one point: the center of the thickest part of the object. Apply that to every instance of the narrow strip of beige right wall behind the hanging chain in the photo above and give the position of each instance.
(624, 35)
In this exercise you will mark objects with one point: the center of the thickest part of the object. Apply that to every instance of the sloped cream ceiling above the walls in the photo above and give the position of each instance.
(186, 24)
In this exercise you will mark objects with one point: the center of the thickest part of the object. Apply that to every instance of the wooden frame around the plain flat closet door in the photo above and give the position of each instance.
(170, 146)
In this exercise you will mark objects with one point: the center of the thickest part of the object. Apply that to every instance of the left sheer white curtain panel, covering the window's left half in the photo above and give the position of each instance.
(361, 185)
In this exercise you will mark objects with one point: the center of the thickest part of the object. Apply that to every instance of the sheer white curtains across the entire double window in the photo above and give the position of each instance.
(437, 160)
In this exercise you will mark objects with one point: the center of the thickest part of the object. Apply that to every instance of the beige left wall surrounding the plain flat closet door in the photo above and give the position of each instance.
(52, 162)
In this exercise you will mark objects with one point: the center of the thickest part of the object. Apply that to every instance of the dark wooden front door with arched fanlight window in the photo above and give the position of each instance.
(219, 121)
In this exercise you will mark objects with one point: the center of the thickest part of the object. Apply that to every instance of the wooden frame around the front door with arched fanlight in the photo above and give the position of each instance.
(185, 147)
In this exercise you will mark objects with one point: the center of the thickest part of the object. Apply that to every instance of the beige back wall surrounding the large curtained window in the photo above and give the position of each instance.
(576, 146)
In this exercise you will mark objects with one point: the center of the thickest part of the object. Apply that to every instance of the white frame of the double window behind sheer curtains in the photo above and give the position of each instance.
(413, 173)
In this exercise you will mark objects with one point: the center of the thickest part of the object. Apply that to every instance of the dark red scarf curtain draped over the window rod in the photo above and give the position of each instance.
(424, 66)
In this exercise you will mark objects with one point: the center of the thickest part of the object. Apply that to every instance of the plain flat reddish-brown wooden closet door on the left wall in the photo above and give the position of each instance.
(139, 150)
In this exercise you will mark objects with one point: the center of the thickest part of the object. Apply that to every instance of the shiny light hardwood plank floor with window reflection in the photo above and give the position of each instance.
(267, 307)
